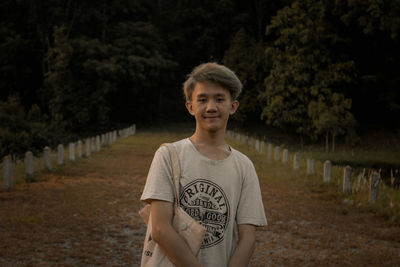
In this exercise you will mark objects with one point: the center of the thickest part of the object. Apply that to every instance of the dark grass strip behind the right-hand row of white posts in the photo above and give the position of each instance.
(376, 149)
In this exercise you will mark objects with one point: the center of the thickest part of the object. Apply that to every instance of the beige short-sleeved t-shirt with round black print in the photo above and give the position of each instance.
(218, 193)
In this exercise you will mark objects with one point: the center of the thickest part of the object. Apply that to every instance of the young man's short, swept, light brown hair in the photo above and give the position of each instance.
(216, 73)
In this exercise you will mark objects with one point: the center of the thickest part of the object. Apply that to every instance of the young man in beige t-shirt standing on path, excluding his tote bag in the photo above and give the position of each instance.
(218, 187)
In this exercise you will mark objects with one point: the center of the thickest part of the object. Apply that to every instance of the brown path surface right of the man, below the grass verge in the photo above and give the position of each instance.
(307, 230)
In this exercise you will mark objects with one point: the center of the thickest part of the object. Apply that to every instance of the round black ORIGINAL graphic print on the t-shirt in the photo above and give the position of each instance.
(207, 203)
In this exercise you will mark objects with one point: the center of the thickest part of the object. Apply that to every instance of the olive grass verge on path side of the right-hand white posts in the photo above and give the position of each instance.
(388, 202)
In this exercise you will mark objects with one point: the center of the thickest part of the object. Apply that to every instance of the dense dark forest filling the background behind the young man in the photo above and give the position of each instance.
(315, 68)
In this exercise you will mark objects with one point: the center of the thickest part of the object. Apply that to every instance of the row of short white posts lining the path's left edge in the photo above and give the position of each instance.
(92, 144)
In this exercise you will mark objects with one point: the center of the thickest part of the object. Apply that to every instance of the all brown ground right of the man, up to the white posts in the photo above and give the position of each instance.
(309, 225)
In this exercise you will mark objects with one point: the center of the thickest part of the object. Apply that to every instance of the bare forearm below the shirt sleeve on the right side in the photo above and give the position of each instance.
(245, 246)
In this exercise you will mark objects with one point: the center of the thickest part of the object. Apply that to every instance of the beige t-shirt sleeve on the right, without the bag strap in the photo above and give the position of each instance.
(251, 208)
